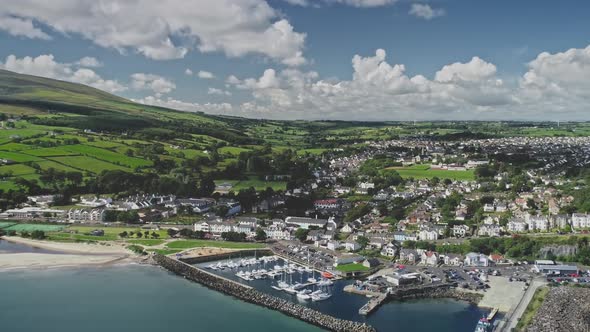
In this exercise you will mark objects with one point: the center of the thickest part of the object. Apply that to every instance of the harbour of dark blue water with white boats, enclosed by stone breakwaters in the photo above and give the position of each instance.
(344, 304)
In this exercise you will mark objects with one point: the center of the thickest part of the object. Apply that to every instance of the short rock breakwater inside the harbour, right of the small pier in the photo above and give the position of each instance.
(434, 291)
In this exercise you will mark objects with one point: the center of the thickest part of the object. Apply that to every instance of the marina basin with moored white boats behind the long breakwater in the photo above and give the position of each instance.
(451, 315)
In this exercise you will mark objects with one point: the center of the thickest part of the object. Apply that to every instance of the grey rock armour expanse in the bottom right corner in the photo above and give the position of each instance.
(564, 309)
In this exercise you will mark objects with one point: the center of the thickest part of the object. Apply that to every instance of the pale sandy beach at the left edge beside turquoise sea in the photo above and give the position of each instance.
(71, 255)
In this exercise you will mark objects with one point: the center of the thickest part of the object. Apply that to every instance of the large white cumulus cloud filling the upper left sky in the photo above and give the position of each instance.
(165, 29)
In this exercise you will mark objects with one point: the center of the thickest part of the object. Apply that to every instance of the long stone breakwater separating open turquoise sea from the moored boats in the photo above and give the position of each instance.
(251, 295)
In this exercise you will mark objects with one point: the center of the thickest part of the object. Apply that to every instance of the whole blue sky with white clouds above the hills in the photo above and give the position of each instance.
(293, 59)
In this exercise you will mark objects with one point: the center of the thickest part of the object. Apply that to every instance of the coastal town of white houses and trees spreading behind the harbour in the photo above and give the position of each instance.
(403, 218)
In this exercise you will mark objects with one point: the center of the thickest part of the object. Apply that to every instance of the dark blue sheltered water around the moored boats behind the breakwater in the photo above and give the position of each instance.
(439, 315)
